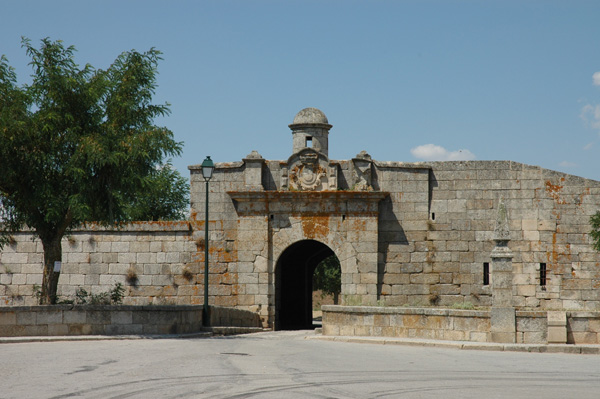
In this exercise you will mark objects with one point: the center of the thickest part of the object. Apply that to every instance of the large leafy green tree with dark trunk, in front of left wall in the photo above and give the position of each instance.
(77, 144)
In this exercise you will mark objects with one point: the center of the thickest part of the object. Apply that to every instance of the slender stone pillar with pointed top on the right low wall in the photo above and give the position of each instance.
(503, 319)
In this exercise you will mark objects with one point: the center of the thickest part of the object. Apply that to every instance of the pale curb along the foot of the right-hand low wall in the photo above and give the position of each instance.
(486, 346)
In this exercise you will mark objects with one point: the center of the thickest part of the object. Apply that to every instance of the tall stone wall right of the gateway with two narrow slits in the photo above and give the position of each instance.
(436, 234)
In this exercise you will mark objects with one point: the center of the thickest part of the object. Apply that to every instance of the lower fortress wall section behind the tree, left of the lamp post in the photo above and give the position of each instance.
(155, 261)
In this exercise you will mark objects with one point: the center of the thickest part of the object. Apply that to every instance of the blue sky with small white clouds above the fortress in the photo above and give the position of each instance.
(404, 80)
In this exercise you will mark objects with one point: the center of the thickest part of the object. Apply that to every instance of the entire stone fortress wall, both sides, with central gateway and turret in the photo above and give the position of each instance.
(496, 234)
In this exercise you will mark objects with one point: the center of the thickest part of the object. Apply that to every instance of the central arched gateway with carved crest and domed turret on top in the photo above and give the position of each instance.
(280, 229)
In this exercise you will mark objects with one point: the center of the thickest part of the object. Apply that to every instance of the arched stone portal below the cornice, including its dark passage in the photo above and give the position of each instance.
(282, 237)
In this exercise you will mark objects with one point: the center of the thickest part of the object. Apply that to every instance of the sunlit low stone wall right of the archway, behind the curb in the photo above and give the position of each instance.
(450, 324)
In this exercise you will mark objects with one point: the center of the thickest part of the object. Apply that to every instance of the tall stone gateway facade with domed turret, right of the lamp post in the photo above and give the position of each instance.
(405, 233)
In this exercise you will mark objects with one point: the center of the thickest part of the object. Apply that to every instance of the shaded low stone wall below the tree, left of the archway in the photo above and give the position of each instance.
(115, 320)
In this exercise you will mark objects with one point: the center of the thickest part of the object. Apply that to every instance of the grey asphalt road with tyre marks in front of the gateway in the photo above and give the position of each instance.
(285, 365)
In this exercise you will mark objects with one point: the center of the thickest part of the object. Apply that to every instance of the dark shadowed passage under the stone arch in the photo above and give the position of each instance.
(293, 284)
